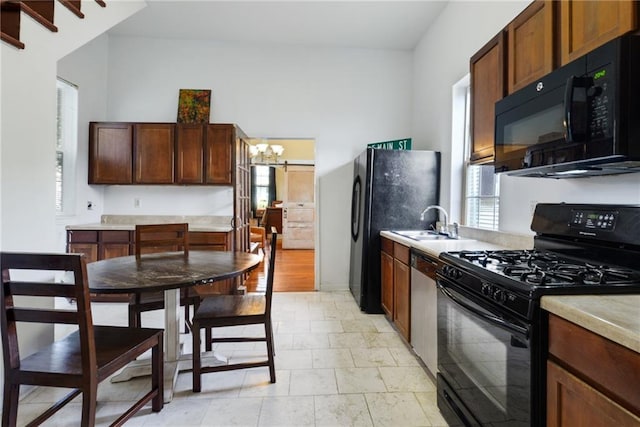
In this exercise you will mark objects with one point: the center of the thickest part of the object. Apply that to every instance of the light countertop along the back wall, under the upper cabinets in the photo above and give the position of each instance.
(205, 223)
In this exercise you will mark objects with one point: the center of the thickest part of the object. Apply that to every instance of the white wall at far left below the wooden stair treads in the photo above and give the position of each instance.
(27, 147)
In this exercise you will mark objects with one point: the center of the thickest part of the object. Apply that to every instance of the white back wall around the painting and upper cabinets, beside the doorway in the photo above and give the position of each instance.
(344, 98)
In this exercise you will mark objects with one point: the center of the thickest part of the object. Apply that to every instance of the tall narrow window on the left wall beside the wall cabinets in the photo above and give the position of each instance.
(66, 144)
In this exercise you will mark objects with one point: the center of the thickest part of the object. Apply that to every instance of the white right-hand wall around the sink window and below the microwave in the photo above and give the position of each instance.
(441, 59)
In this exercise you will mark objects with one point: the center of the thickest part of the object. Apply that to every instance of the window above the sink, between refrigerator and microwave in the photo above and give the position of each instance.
(482, 185)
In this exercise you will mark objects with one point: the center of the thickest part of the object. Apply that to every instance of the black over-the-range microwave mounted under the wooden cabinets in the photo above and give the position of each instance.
(582, 119)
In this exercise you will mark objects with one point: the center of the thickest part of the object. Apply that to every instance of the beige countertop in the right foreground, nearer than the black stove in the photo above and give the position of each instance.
(615, 317)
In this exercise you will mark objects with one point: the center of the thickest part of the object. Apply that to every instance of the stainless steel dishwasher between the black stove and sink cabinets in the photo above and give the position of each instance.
(424, 311)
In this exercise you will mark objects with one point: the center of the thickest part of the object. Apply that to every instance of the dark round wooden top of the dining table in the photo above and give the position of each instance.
(166, 270)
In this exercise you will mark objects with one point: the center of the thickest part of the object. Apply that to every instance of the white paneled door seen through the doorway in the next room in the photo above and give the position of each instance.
(298, 214)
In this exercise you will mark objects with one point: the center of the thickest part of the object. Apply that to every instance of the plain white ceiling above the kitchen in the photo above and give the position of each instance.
(351, 24)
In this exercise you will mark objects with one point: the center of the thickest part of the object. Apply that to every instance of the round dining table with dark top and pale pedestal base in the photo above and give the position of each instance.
(168, 272)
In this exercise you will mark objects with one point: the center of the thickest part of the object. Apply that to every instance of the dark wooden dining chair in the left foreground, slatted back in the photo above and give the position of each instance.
(78, 361)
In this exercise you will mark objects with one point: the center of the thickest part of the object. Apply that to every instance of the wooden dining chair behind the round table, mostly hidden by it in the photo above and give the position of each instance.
(152, 238)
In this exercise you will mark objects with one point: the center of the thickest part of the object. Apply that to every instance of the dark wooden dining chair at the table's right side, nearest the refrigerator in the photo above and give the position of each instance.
(220, 311)
